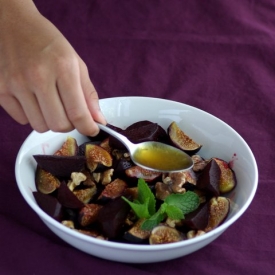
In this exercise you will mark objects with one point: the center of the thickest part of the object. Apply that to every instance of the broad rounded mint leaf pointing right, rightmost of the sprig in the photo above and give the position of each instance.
(186, 202)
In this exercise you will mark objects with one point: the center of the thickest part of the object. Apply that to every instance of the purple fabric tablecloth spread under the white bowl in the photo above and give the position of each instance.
(216, 55)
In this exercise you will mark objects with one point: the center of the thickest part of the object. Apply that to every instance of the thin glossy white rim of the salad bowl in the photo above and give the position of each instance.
(136, 247)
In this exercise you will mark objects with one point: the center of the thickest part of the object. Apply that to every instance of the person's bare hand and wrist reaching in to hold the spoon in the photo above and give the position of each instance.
(43, 81)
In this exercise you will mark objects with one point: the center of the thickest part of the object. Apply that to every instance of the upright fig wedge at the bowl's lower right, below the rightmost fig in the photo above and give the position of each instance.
(219, 208)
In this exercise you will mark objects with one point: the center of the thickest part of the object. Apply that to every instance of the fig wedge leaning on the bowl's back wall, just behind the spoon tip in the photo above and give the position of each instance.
(181, 140)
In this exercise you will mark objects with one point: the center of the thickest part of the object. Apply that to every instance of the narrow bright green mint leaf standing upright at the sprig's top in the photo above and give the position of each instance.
(144, 194)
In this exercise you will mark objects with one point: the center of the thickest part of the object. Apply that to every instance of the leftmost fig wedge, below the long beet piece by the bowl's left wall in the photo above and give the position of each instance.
(45, 182)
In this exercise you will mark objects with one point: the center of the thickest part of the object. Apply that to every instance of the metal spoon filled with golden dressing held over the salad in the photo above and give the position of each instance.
(152, 155)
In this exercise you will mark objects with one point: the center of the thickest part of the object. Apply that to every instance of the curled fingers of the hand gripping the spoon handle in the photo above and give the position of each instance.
(59, 105)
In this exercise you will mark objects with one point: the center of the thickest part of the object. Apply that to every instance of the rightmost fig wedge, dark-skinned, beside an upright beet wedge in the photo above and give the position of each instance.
(228, 179)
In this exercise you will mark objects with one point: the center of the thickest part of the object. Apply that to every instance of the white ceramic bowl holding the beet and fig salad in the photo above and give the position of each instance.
(218, 139)
